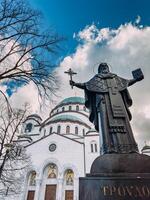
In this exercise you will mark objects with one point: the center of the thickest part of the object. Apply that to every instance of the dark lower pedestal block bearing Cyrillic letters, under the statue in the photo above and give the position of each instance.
(100, 188)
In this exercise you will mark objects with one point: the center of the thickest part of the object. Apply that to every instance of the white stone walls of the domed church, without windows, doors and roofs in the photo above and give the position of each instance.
(72, 152)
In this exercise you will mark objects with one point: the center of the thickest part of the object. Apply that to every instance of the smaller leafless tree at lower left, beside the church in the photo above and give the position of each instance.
(13, 158)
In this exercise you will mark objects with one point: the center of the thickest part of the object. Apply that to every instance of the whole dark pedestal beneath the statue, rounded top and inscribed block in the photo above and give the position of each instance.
(117, 177)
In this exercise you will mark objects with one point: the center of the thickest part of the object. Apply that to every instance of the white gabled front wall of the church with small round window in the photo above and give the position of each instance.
(68, 155)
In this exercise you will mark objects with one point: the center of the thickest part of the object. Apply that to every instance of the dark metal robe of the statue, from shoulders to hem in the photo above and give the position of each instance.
(106, 96)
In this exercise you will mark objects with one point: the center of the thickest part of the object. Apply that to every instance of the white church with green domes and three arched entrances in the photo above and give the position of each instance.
(62, 149)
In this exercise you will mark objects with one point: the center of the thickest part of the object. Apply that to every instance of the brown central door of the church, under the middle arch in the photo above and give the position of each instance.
(50, 192)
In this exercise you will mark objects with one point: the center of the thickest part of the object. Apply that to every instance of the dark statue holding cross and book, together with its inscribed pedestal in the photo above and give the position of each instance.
(121, 172)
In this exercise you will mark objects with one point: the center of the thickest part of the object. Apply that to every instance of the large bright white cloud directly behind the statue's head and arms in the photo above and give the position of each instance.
(124, 49)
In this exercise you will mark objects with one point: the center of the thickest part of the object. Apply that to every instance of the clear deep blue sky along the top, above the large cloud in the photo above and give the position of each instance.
(70, 16)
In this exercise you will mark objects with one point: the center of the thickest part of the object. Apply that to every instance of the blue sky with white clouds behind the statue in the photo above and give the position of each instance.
(112, 31)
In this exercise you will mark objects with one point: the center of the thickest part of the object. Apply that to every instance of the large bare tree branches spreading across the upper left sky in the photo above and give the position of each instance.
(26, 49)
